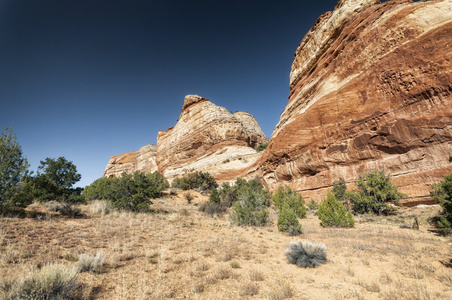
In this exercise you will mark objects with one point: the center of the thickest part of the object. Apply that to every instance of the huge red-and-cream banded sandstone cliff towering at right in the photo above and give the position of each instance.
(371, 88)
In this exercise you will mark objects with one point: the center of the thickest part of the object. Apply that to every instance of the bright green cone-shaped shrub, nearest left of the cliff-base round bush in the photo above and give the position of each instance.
(333, 214)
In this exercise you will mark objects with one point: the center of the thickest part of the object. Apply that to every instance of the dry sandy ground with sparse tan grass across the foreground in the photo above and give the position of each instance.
(183, 254)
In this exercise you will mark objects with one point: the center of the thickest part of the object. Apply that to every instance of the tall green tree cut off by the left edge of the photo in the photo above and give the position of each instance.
(13, 171)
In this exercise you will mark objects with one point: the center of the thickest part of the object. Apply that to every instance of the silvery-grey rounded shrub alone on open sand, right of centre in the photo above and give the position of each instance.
(306, 254)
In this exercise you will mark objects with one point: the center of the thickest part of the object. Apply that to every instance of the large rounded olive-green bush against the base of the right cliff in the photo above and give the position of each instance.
(375, 192)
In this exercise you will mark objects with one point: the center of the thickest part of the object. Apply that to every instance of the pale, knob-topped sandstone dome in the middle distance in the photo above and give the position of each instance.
(208, 138)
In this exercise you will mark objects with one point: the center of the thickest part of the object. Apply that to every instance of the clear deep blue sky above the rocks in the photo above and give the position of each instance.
(88, 79)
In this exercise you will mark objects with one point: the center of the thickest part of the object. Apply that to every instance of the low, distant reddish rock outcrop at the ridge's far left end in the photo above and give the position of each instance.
(143, 160)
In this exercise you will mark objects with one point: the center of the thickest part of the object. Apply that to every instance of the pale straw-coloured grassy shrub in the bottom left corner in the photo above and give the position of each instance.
(53, 281)
